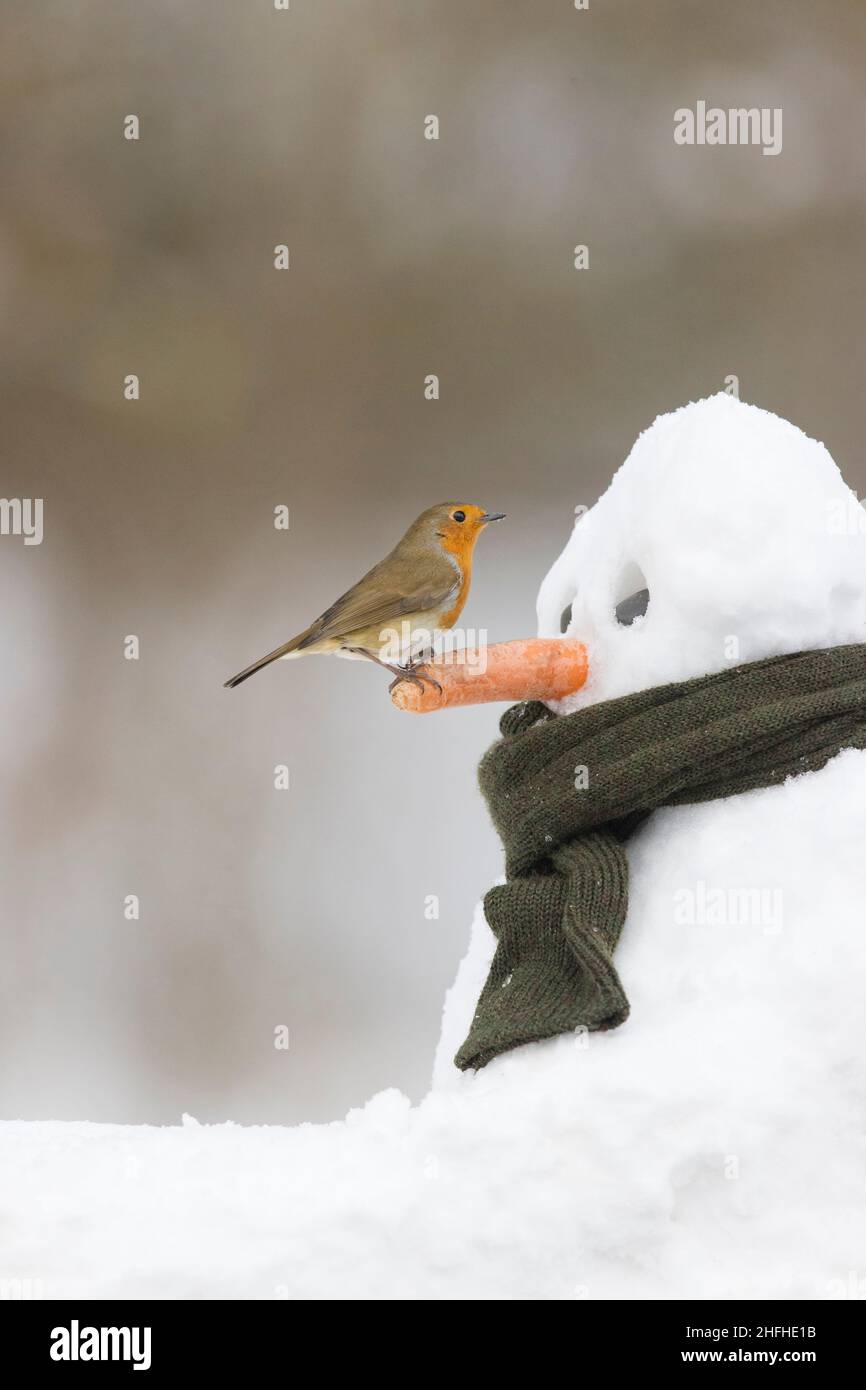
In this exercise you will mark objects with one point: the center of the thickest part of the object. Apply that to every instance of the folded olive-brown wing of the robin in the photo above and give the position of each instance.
(369, 603)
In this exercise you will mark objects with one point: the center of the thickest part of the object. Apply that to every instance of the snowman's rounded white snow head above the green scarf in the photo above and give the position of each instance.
(728, 536)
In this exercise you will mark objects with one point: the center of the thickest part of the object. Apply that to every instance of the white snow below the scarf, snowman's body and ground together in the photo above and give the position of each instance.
(714, 1146)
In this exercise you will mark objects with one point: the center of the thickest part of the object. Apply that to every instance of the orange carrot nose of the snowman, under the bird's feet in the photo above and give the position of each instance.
(537, 668)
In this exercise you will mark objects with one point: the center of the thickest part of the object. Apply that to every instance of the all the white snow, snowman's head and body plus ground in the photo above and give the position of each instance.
(711, 1147)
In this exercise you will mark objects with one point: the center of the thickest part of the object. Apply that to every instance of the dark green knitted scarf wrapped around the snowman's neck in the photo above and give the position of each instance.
(566, 793)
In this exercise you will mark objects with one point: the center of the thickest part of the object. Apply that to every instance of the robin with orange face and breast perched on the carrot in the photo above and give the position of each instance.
(420, 587)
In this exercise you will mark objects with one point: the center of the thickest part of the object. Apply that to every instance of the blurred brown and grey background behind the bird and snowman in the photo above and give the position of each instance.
(307, 908)
